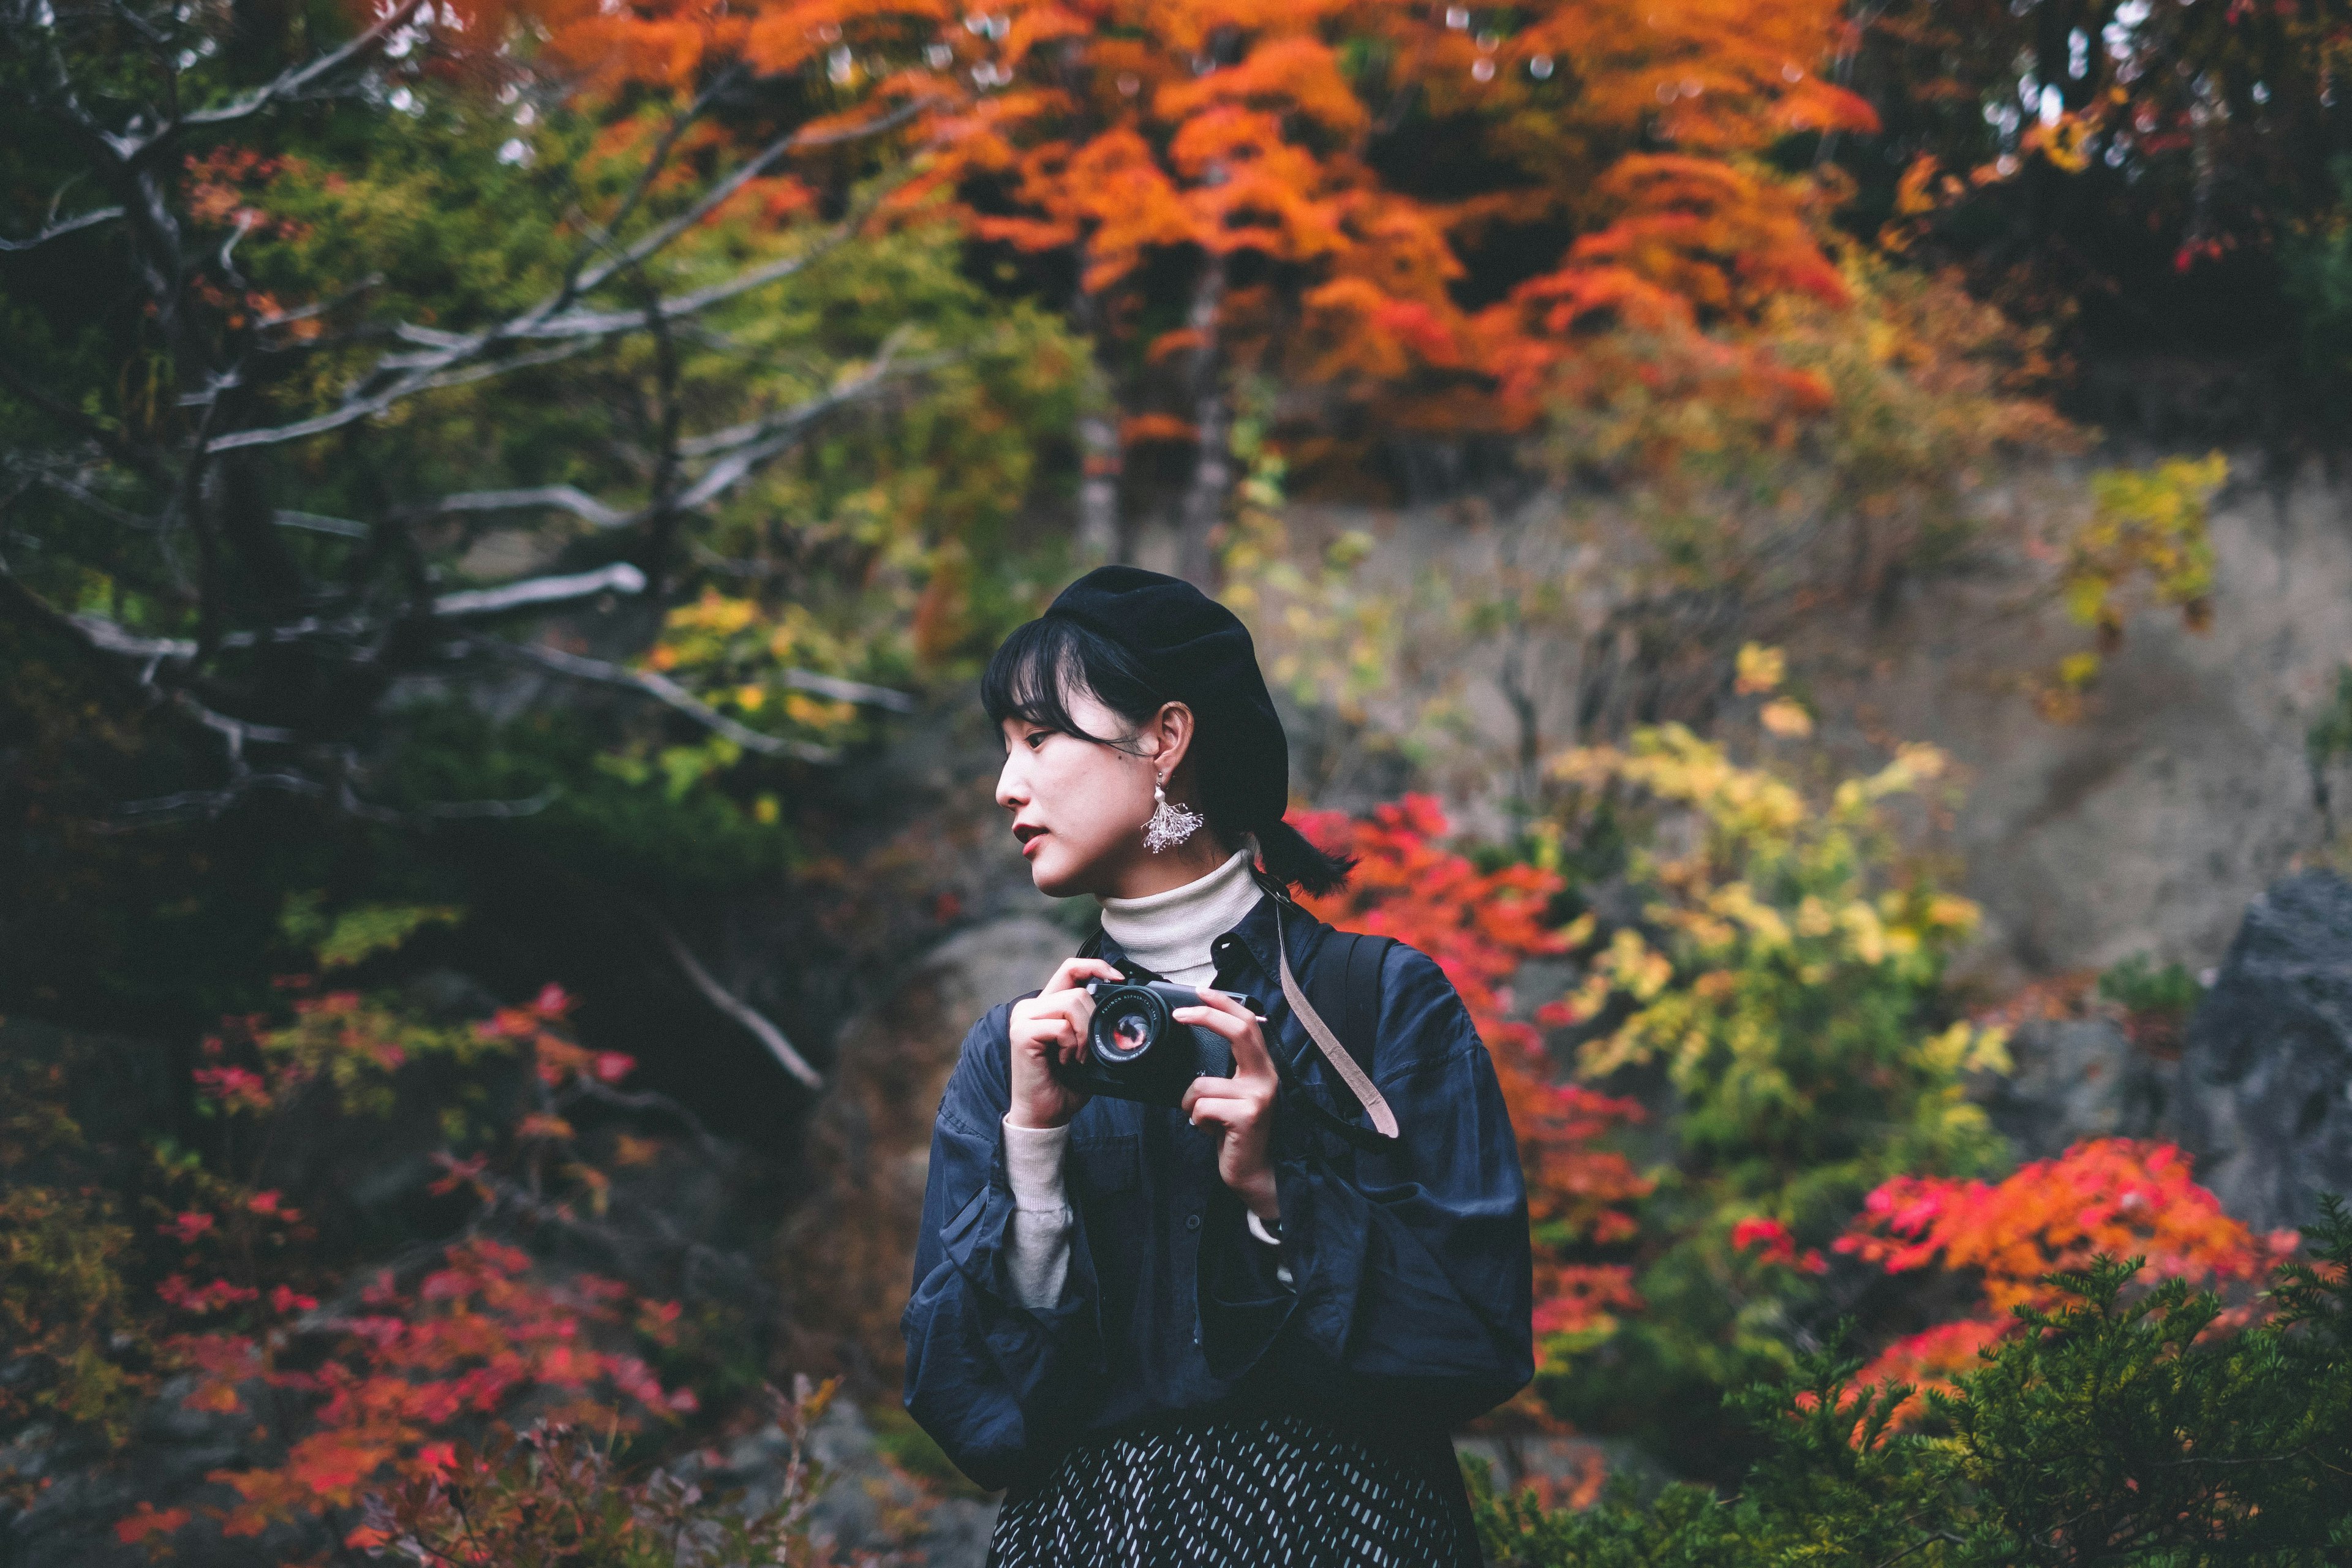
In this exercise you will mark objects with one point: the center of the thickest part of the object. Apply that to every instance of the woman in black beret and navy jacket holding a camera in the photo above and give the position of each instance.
(1212, 1332)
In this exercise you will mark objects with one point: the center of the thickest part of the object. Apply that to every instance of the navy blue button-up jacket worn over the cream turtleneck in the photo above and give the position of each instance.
(1410, 1301)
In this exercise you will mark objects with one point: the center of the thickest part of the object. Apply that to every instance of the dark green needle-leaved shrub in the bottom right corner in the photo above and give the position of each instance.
(2116, 1428)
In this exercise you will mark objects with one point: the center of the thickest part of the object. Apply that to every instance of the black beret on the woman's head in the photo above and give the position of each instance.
(1201, 655)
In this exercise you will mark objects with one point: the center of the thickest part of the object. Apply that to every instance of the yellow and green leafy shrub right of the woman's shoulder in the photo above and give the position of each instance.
(1779, 984)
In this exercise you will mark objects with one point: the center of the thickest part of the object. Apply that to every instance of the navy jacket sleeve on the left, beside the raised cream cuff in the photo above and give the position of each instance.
(987, 1376)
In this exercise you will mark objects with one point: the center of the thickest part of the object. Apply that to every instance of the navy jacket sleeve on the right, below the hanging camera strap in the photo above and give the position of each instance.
(1412, 1268)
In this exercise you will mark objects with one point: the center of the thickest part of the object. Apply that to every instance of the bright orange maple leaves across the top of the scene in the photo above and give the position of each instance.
(1125, 133)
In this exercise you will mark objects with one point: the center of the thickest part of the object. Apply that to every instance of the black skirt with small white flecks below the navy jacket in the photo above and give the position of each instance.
(1241, 1492)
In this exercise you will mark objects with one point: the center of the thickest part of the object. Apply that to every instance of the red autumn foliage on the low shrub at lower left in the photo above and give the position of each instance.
(359, 1383)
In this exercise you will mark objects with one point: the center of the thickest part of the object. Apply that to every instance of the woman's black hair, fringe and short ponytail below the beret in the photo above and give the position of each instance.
(1043, 662)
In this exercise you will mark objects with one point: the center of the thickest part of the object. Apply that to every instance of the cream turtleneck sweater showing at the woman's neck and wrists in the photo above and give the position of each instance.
(1168, 934)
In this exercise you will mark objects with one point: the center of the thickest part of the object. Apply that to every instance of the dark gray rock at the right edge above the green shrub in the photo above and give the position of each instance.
(2266, 1078)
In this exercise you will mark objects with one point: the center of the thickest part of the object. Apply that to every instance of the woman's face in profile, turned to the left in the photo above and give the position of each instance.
(1081, 805)
